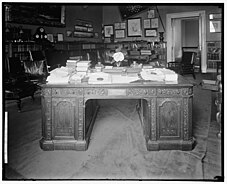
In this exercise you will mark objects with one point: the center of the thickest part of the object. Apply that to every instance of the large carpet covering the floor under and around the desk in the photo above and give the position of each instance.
(117, 148)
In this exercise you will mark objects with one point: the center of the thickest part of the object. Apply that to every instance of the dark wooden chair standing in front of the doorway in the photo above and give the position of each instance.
(186, 65)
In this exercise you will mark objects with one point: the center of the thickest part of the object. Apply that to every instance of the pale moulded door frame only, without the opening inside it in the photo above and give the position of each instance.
(202, 32)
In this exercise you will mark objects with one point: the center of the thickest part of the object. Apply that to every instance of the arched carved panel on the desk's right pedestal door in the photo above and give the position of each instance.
(169, 118)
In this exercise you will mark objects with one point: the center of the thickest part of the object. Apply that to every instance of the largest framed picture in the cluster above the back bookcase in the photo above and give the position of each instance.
(134, 27)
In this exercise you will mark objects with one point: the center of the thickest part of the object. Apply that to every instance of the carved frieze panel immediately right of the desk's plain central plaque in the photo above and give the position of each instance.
(141, 92)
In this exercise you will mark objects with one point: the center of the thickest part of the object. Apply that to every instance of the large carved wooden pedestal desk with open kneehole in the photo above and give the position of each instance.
(69, 111)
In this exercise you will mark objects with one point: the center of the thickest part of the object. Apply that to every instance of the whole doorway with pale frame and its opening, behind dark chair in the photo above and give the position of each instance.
(186, 29)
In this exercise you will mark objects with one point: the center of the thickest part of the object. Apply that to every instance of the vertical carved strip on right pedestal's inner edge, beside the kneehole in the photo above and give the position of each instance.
(152, 108)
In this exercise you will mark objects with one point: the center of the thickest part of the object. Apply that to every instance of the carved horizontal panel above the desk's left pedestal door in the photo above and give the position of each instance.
(67, 92)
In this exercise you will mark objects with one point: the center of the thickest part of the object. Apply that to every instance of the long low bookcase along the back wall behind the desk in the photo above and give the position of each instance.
(140, 50)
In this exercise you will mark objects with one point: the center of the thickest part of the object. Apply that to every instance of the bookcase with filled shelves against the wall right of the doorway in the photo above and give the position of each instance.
(213, 55)
